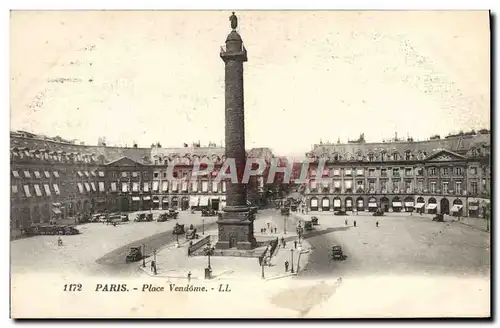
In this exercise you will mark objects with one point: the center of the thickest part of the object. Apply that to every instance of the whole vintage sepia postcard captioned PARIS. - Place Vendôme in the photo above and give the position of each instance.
(250, 164)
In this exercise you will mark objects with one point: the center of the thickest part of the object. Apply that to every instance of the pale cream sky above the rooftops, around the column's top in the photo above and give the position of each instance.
(156, 76)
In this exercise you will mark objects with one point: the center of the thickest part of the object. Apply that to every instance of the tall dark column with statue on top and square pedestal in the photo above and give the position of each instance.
(236, 226)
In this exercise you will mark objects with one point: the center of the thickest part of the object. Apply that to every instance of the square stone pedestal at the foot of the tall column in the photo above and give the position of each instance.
(235, 231)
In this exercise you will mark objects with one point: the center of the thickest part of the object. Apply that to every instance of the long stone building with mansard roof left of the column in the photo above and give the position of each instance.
(54, 180)
